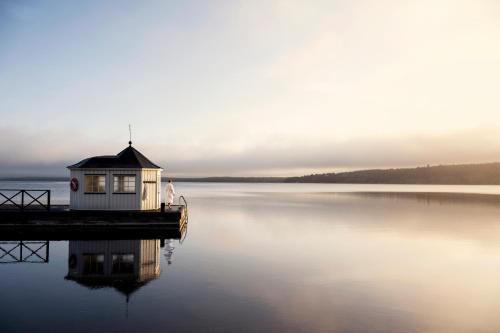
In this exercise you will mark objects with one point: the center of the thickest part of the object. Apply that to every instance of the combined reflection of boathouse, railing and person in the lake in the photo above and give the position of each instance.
(125, 265)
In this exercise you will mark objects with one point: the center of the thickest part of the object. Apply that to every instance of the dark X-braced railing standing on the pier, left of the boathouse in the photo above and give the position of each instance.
(23, 199)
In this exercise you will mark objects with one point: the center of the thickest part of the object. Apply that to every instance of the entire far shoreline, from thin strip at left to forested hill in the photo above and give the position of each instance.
(461, 174)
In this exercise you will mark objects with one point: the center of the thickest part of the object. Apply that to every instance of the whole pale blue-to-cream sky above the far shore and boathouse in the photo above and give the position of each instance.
(249, 87)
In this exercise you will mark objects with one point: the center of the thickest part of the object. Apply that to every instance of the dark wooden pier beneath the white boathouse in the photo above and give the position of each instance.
(44, 221)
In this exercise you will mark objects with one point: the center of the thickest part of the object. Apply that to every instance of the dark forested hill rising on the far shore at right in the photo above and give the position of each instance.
(466, 174)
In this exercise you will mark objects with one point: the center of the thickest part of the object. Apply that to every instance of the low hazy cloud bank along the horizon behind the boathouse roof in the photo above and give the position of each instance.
(49, 154)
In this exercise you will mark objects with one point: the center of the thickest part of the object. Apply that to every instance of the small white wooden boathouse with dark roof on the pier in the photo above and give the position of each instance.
(126, 181)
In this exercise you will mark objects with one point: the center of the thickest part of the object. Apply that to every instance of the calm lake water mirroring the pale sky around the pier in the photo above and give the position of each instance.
(280, 258)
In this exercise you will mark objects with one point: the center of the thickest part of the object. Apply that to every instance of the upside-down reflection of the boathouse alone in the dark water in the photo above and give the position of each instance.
(125, 265)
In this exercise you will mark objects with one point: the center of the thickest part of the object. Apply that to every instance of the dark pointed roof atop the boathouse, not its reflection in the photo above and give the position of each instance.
(128, 158)
